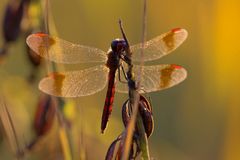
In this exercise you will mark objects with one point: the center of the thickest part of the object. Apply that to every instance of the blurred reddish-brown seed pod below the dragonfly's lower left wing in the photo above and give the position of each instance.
(45, 114)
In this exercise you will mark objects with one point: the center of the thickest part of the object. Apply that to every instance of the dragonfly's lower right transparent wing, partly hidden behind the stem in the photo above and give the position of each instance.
(156, 77)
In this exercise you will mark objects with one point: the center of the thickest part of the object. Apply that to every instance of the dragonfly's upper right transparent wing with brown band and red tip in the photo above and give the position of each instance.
(160, 46)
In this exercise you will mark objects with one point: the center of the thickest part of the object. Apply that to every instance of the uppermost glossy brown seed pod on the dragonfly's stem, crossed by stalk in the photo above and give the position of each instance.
(145, 110)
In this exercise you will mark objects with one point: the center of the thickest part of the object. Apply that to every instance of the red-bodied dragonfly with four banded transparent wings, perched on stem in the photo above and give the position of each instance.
(89, 81)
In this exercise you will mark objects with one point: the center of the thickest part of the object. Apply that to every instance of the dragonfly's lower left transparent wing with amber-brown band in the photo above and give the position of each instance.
(75, 83)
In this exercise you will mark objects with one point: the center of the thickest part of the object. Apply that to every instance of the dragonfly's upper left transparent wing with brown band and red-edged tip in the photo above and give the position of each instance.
(61, 51)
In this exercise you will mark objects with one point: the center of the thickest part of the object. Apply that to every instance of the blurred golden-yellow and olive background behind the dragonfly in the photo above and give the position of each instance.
(196, 120)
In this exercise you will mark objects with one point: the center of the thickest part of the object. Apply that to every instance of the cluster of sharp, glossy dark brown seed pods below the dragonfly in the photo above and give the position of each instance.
(145, 110)
